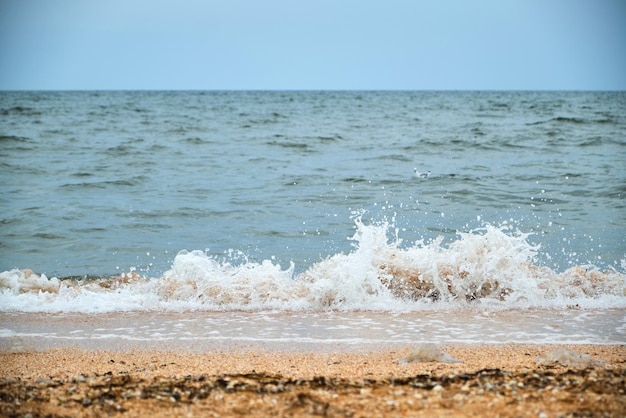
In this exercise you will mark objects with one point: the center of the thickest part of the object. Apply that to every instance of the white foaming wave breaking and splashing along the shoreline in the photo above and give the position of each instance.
(491, 268)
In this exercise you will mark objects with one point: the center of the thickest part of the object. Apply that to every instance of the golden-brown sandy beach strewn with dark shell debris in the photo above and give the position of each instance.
(491, 380)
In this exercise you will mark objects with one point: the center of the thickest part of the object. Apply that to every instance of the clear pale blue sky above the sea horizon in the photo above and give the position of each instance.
(313, 44)
